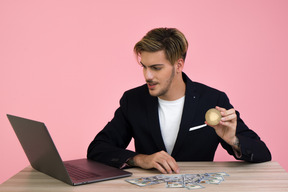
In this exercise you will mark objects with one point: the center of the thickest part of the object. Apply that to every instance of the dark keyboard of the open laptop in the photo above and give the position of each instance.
(77, 173)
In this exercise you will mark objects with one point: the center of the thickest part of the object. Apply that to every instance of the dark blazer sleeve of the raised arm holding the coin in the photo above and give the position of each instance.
(252, 147)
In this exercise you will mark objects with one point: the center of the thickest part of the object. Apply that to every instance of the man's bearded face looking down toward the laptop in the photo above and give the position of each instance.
(158, 73)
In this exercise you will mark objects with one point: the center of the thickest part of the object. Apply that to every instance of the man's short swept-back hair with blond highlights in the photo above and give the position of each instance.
(171, 40)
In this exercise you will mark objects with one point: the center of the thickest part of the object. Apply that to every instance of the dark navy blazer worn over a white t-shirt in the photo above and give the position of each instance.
(137, 117)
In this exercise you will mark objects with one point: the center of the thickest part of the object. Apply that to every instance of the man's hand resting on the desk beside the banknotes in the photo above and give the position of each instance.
(160, 160)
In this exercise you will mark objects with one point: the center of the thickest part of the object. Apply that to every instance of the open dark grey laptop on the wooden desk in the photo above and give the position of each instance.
(44, 157)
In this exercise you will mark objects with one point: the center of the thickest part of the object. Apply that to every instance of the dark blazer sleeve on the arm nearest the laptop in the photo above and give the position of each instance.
(109, 145)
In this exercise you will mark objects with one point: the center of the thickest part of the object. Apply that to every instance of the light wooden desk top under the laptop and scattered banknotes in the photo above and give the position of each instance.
(269, 176)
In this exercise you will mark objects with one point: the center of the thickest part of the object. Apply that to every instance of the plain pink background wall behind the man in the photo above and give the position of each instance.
(67, 63)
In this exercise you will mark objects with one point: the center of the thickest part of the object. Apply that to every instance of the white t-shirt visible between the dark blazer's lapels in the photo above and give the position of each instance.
(170, 113)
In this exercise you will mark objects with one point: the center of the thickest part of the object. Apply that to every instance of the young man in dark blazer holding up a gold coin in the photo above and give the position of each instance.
(159, 114)
